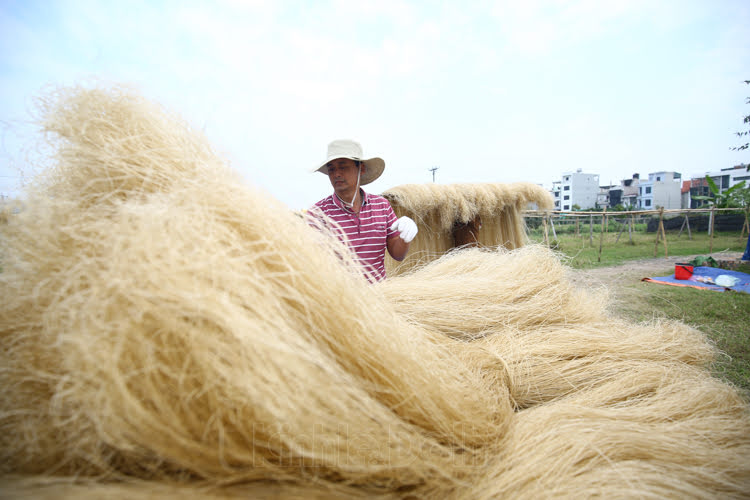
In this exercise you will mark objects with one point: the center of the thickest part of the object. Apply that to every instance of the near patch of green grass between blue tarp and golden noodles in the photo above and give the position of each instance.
(722, 316)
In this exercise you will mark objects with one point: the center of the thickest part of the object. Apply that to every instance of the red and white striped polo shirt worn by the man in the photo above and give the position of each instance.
(367, 231)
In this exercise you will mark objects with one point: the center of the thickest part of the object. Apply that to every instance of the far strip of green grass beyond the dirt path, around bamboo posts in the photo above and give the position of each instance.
(584, 253)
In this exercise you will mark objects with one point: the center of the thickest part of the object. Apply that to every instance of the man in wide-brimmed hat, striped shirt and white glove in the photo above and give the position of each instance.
(367, 220)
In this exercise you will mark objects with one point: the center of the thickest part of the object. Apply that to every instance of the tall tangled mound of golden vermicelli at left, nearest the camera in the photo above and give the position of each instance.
(154, 328)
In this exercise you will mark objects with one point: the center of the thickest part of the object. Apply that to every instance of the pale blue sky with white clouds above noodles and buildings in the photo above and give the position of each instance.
(486, 91)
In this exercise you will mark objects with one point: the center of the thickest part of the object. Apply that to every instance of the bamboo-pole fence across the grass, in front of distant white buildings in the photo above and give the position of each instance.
(705, 220)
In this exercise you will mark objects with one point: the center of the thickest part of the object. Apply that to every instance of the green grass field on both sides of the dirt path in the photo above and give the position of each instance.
(723, 317)
